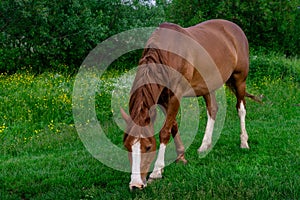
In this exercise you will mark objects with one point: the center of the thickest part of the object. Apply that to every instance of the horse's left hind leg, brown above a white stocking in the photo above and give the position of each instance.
(212, 109)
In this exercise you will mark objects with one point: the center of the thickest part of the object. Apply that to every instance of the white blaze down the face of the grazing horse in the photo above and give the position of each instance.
(136, 180)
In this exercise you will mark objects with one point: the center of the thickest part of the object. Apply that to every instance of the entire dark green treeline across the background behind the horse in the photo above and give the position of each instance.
(43, 34)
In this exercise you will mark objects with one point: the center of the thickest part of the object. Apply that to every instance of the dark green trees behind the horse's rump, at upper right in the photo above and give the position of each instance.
(270, 24)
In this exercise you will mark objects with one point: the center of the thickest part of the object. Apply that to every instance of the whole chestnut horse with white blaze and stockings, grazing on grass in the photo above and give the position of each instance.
(182, 62)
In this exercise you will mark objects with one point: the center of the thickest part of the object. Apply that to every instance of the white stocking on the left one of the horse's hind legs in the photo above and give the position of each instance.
(207, 139)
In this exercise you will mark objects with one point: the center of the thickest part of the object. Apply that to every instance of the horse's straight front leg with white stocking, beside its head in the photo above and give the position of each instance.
(164, 137)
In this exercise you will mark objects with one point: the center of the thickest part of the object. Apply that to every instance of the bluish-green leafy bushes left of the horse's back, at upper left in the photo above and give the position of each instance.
(51, 34)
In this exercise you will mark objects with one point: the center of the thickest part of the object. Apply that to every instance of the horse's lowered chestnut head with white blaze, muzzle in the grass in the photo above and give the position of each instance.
(141, 145)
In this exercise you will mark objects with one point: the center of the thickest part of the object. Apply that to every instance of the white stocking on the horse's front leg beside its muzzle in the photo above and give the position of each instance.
(160, 163)
